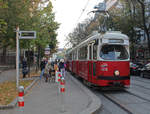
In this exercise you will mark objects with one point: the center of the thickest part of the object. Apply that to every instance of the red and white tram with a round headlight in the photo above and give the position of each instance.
(102, 60)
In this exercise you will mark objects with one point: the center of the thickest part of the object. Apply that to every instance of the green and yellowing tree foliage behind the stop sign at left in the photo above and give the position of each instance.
(28, 15)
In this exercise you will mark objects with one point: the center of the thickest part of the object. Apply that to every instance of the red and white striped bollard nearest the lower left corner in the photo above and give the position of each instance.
(20, 98)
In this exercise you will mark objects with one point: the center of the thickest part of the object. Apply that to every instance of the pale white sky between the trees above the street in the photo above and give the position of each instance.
(68, 14)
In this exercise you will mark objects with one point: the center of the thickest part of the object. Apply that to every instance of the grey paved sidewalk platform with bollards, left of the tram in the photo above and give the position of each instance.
(44, 98)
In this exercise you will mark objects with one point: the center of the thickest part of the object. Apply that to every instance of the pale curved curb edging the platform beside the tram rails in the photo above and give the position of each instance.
(95, 103)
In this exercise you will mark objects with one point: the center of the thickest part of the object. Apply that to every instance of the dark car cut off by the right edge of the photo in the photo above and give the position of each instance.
(145, 70)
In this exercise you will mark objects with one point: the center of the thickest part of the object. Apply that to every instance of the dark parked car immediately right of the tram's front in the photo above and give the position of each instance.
(135, 68)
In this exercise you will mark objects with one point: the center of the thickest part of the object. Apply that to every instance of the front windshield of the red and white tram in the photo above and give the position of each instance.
(114, 52)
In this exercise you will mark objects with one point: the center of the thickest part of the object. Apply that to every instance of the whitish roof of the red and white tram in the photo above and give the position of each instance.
(107, 35)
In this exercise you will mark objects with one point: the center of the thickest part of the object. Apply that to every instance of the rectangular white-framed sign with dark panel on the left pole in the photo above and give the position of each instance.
(27, 34)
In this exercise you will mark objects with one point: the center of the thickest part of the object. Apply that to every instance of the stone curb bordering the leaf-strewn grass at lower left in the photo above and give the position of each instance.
(13, 104)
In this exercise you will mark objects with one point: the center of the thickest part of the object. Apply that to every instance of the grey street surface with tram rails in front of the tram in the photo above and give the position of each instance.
(135, 100)
